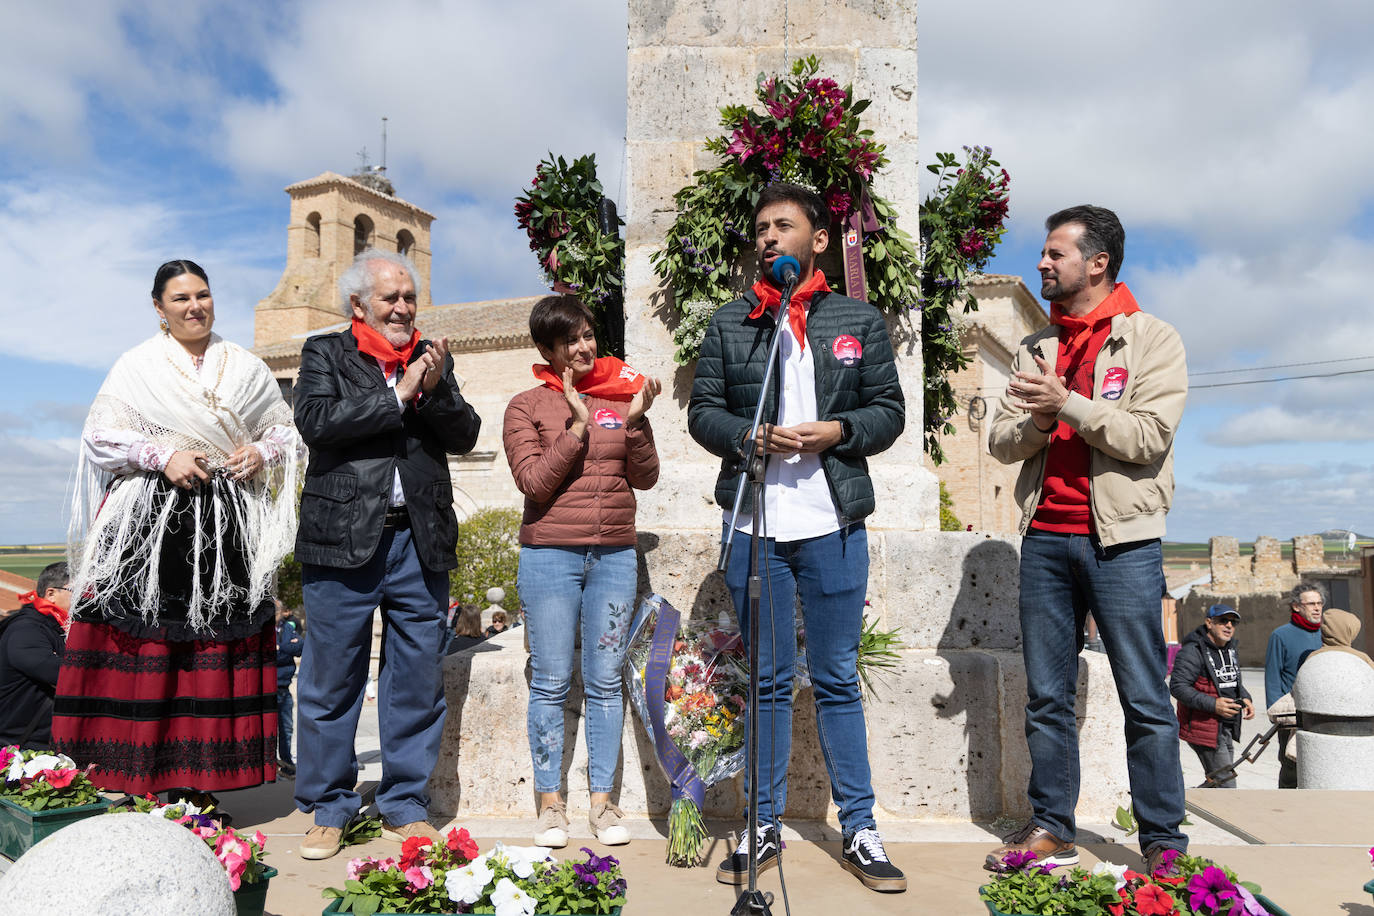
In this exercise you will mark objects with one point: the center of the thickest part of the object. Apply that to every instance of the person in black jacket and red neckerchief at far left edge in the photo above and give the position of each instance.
(32, 642)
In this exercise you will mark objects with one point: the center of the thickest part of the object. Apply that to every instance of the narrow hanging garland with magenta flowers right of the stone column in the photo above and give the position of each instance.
(961, 225)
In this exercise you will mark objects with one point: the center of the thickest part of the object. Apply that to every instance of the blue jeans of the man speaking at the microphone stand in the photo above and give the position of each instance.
(831, 575)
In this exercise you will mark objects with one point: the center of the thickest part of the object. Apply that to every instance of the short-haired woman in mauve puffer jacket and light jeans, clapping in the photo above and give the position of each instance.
(579, 446)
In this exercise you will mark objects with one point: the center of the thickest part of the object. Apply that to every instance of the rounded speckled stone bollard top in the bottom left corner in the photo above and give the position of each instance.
(119, 865)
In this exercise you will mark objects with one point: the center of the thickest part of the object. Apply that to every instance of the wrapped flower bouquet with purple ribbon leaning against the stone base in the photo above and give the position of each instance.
(690, 683)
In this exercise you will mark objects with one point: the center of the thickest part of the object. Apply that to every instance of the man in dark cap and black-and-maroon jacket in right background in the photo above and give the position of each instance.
(1213, 700)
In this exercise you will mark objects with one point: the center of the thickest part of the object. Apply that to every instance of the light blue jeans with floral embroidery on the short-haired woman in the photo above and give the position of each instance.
(565, 593)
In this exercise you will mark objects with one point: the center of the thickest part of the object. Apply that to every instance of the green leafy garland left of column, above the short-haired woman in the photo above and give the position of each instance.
(560, 214)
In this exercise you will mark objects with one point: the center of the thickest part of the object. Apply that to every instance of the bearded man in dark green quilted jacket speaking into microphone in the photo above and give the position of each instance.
(835, 402)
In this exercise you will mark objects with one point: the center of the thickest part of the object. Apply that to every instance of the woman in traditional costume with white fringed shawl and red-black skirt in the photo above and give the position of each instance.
(185, 507)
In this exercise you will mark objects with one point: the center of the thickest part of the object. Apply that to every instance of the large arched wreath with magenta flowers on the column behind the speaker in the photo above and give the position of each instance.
(807, 134)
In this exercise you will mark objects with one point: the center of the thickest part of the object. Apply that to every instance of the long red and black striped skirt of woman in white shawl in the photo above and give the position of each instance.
(155, 715)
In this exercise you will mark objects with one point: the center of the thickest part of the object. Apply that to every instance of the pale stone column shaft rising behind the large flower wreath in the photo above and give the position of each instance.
(686, 61)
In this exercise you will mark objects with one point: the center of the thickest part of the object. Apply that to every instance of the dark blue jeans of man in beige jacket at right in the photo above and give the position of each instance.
(1063, 579)
